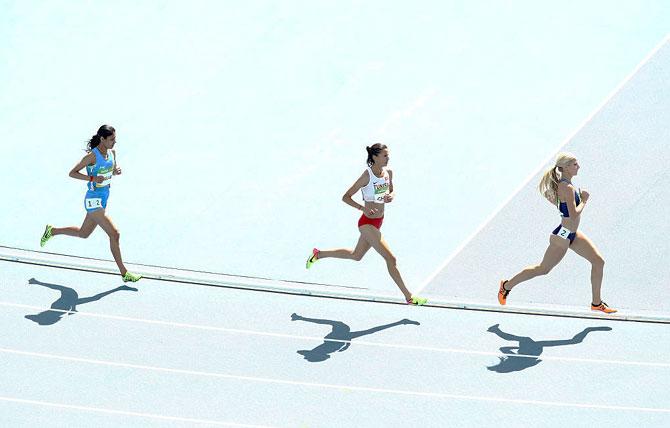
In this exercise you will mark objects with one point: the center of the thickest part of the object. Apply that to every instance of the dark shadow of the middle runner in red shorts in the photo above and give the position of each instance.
(339, 339)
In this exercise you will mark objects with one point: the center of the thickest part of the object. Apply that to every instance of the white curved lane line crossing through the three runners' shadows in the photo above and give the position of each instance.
(358, 342)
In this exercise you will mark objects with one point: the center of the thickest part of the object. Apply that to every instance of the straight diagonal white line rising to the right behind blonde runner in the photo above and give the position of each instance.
(544, 163)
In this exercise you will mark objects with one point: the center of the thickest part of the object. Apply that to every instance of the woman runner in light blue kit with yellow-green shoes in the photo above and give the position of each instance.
(101, 165)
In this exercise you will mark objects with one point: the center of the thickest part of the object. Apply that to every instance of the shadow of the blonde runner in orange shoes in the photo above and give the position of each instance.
(528, 350)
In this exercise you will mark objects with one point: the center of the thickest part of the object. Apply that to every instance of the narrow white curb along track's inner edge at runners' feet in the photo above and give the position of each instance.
(369, 297)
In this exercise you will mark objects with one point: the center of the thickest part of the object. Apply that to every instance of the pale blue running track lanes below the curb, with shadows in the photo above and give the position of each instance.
(81, 349)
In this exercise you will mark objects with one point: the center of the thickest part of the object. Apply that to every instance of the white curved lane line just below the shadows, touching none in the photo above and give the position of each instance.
(334, 386)
